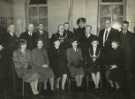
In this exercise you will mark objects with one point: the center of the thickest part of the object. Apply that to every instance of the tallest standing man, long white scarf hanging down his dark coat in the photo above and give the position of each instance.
(107, 36)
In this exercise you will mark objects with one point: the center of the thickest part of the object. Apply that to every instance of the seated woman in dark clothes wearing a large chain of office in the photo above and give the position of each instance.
(93, 62)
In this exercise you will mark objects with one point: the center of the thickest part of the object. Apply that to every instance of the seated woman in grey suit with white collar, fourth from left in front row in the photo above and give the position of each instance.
(75, 63)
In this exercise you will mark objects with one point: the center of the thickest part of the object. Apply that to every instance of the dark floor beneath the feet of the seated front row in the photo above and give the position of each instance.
(84, 93)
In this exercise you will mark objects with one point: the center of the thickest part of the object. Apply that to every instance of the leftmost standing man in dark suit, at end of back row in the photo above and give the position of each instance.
(10, 44)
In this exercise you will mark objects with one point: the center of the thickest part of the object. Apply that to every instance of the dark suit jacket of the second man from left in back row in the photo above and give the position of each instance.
(31, 40)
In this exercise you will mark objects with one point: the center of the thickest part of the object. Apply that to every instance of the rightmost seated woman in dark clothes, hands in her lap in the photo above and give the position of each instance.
(114, 61)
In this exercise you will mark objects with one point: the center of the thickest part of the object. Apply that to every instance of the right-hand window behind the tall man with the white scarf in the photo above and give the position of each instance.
(114, 10)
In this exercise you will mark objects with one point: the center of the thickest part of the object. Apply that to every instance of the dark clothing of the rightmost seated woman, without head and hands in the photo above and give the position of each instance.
(114, 57)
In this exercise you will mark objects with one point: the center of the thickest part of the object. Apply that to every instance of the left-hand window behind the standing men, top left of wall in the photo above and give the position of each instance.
(37, 12)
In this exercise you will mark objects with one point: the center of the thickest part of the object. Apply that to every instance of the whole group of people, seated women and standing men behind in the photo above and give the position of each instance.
(35, 57)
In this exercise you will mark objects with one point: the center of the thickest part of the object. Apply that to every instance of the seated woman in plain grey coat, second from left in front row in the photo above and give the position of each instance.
(41, 64)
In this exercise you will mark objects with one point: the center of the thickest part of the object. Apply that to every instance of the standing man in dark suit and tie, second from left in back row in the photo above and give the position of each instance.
(30, 36)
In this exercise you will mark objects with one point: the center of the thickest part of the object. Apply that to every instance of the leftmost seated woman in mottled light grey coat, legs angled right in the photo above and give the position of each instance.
(23, 66)
